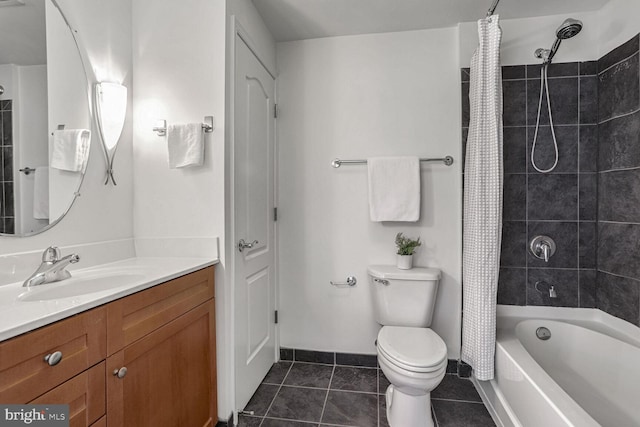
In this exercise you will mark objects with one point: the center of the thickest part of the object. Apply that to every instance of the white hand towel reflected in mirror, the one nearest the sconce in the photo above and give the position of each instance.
(70, 149)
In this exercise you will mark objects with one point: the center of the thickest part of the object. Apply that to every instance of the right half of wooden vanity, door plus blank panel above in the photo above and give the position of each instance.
(170, 356)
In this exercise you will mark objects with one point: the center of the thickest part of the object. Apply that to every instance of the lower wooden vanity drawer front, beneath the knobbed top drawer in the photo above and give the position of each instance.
(85, 395)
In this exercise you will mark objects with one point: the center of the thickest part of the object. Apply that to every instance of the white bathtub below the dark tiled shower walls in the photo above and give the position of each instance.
(586, 374)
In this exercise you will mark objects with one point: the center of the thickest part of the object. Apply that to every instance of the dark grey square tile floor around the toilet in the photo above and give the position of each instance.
(311, 394)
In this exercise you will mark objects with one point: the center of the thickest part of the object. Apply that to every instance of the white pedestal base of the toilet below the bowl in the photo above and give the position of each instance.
(408, 410)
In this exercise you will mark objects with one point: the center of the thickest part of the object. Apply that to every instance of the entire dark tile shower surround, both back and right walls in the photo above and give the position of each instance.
(590, 204)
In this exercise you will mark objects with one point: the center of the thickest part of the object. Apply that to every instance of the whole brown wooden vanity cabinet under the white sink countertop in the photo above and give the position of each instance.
(145, 359)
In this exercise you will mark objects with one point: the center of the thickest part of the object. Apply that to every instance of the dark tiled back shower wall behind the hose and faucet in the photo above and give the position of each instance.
(560, 204)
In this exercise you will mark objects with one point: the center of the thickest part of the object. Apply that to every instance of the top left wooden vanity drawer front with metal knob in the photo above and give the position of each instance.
(24, 373)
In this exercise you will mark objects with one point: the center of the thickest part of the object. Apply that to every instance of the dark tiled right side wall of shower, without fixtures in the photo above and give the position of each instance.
(617, 287)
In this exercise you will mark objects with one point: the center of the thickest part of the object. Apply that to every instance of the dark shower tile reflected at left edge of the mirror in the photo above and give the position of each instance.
(7, 223)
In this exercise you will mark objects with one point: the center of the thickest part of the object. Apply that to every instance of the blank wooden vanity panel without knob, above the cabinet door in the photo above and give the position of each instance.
(133, 317)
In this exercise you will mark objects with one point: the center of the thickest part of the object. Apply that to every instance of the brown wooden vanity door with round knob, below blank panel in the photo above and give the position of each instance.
(170, 379)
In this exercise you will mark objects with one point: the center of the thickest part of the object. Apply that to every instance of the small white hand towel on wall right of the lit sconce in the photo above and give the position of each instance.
(186, 145)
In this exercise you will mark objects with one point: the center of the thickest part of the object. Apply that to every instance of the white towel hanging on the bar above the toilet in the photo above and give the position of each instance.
(394, 188)
